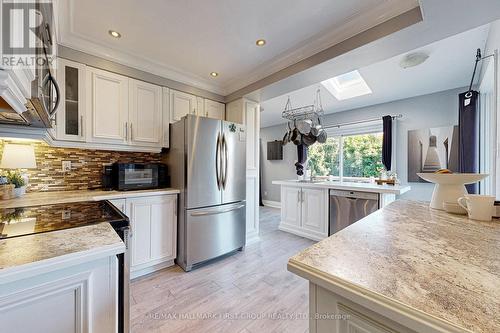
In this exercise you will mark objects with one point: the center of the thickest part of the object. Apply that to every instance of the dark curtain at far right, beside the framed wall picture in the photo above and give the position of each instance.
(468, 139)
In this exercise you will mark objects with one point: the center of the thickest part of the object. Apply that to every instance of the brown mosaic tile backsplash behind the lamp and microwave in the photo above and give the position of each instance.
(86, 166)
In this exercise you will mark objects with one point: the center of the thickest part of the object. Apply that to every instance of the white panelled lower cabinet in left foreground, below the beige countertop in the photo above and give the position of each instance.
(81, 298)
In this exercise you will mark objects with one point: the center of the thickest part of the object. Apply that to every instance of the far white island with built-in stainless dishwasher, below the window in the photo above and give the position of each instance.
(305, 205)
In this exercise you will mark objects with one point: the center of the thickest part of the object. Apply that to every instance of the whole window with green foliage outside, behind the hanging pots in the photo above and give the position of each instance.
(347, 156)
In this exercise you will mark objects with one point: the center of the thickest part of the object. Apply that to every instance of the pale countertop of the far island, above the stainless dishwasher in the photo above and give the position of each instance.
(349, 186)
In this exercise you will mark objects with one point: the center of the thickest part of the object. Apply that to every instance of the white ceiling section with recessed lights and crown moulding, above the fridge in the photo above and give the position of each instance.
(187, 40)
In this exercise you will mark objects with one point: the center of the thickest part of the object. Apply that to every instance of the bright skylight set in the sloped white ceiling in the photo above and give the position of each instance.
(348, 85)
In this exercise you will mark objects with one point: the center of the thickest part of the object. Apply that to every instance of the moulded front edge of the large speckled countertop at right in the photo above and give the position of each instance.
(367, 298)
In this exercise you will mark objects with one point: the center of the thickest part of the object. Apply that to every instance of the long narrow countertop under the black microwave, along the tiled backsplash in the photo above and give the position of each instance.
(44, 198)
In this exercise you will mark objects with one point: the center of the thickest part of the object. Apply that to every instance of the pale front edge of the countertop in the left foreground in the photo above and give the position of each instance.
(39, 267)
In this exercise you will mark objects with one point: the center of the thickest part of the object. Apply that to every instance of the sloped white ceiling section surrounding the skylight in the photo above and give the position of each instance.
(449, 66)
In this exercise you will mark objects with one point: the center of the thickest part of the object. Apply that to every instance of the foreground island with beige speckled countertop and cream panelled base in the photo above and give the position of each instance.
(405, 268)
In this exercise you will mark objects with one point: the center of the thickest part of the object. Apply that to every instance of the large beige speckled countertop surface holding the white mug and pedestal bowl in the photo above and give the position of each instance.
(440, 265)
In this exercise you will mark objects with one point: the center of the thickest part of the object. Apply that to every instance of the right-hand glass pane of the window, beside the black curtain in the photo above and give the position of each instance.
(362, 155)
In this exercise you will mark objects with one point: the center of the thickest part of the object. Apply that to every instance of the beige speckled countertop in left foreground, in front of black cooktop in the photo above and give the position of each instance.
(32, 254)
